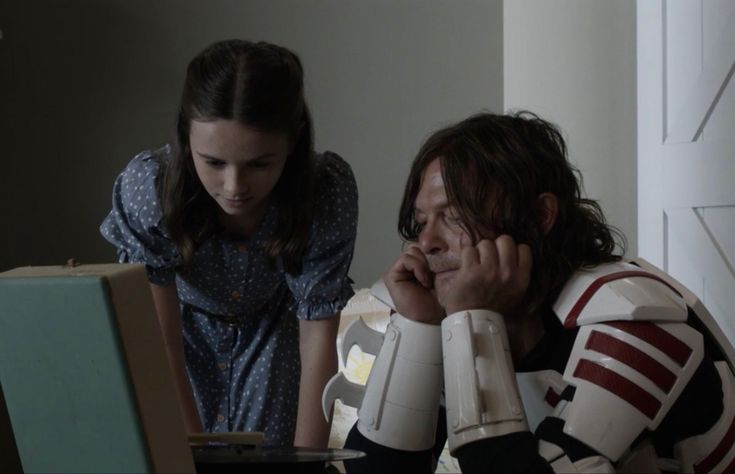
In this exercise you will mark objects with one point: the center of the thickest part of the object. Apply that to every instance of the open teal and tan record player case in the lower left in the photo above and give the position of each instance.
(66, 371)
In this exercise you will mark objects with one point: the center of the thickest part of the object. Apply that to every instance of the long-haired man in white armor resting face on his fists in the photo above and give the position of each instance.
(556, 354)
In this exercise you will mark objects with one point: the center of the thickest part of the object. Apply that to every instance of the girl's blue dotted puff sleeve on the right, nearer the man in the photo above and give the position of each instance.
(323, 287)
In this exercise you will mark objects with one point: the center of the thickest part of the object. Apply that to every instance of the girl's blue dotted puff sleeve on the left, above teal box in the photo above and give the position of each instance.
(134, 225)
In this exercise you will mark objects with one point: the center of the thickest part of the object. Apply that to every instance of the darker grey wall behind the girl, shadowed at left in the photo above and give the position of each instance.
(86, 84)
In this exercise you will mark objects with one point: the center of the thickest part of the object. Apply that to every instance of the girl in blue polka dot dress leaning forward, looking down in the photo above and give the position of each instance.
(247, 236)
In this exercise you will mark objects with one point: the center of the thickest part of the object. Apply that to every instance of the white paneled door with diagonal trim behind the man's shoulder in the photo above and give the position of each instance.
(686, 146)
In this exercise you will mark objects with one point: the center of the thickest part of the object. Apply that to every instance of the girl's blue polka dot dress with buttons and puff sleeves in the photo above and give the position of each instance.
(240, 313)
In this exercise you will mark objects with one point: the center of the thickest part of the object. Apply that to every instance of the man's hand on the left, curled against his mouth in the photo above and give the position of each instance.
(410, 284)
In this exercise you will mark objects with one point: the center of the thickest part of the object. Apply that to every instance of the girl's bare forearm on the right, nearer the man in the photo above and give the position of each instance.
(318, 351)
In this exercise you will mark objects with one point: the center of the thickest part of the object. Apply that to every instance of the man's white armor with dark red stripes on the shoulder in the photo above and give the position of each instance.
(632, 357)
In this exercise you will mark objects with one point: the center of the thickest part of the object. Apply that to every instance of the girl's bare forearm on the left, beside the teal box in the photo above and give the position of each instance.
(169, 316)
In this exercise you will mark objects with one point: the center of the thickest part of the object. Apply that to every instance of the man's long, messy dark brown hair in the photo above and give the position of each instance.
(494, 167)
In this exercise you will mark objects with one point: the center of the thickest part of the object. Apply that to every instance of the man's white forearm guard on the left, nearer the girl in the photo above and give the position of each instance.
(401, 402)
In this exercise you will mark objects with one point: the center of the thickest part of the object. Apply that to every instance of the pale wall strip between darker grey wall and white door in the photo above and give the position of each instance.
(573, 62)
